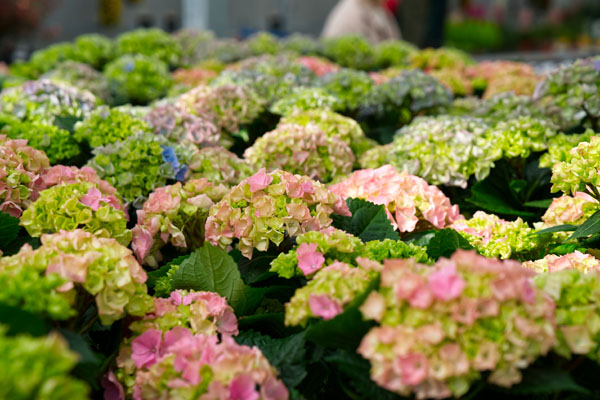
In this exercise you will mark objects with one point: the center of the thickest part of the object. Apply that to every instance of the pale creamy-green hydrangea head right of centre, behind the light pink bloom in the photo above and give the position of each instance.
(442, 150)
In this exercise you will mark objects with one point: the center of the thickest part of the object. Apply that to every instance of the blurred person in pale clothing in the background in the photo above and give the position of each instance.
(368, 18)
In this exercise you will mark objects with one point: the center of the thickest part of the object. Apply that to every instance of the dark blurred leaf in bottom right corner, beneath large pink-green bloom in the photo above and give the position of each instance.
(546, 380)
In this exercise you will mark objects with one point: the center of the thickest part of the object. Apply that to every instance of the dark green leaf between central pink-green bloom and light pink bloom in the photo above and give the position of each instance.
(368, 221)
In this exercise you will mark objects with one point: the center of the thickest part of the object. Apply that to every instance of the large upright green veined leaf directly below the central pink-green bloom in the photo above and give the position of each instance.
(211, 269)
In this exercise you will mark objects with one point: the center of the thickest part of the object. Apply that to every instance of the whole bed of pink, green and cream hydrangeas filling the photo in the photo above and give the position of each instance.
(186, 217)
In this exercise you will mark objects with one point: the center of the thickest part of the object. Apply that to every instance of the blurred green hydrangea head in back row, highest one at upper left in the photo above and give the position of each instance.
(151, 43)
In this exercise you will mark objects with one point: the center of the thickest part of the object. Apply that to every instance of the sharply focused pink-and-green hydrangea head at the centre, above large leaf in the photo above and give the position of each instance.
(266, 207)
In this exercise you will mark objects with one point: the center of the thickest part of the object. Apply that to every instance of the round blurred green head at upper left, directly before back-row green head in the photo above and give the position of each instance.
(137, 79)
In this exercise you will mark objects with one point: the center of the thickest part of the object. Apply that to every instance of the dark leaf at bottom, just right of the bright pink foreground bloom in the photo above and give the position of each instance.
(287, 354)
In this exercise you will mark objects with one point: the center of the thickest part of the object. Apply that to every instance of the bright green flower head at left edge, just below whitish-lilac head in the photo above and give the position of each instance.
(57, 143)
